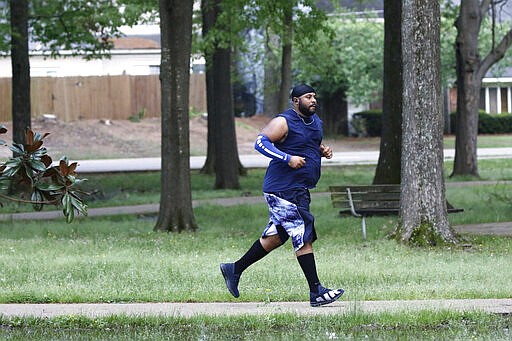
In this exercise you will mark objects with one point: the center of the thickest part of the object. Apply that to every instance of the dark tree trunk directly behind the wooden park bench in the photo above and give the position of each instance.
(388, 166)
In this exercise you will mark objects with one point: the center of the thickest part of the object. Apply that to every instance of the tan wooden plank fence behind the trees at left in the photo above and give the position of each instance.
(98, 97)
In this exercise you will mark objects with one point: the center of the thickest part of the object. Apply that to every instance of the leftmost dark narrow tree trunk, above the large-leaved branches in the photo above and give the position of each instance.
(20, 70)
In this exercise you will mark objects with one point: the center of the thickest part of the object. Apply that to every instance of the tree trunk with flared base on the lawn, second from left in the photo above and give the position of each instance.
(176, 213)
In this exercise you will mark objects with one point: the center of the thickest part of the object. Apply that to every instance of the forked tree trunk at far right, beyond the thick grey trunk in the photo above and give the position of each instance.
(471, 69)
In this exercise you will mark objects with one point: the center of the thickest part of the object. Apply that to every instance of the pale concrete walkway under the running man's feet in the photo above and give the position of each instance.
(498, 306)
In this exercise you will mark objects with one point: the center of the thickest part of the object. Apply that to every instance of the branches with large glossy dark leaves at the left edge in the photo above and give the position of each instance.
(30, 168)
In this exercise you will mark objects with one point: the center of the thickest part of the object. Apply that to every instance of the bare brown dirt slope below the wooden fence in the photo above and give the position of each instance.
(100, 139)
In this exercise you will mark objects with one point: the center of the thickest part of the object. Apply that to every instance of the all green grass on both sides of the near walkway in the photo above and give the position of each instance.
(120, 259)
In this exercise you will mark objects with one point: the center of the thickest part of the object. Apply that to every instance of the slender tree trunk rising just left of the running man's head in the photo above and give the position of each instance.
(286, 60)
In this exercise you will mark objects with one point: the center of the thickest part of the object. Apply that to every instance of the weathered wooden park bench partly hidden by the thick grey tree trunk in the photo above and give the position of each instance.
(370, 200)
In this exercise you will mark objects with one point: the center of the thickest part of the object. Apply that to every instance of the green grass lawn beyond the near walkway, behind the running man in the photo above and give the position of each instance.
(120, 258)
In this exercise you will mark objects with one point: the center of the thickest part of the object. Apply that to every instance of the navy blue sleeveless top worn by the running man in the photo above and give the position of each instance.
(304, 139)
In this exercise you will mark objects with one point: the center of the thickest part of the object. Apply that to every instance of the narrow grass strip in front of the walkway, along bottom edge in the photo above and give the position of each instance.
(439, 325)
